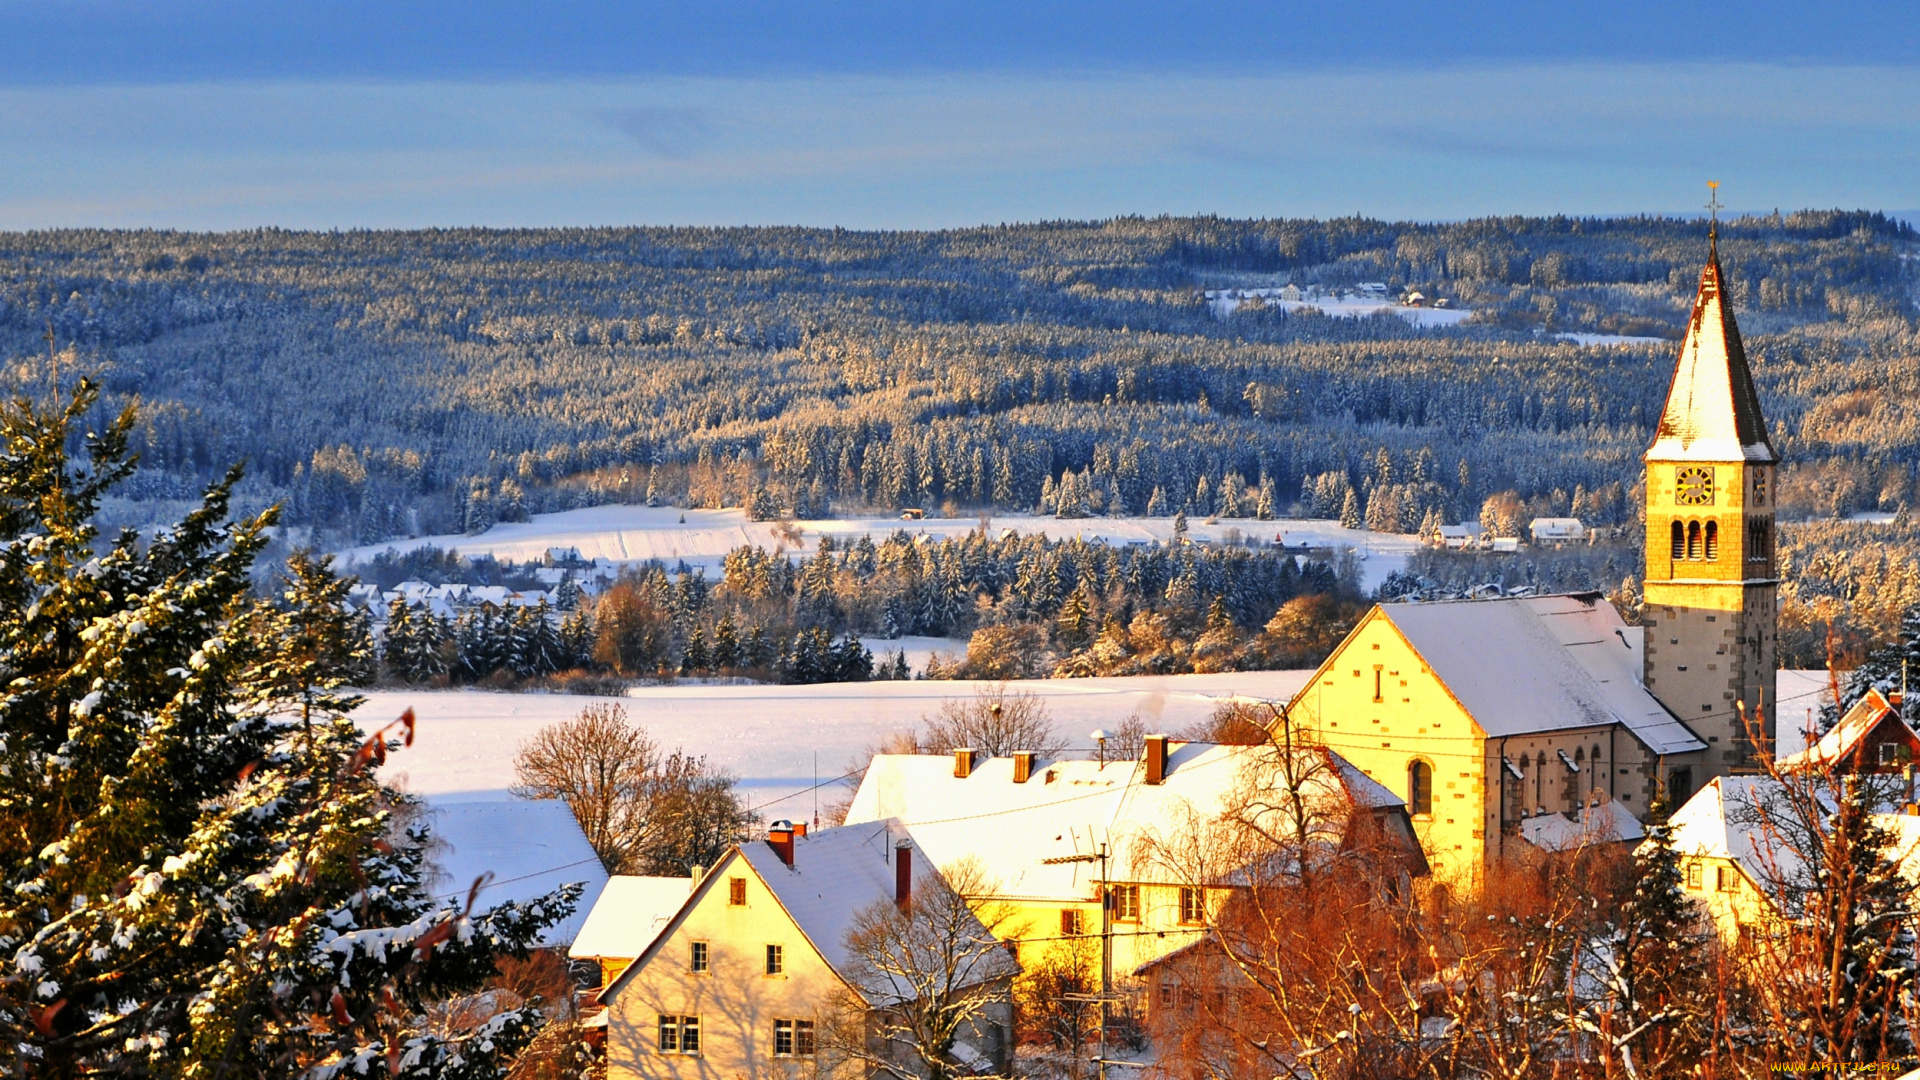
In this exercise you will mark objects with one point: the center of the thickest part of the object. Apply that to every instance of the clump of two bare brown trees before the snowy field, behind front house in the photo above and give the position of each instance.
(644, 812)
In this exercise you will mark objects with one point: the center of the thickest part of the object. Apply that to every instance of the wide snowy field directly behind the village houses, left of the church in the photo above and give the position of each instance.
(773, 737)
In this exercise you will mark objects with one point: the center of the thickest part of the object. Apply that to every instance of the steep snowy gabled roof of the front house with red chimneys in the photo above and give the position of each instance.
(836, 875)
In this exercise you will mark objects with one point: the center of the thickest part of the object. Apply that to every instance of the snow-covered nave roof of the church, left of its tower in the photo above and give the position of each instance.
(1541, 664)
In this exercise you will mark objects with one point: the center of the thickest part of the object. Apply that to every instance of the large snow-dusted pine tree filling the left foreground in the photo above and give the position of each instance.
(203, 873)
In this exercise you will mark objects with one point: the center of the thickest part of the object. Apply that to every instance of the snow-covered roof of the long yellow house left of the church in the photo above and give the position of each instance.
(1020, 833)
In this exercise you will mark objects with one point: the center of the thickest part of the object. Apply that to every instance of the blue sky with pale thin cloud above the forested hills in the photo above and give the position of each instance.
(214, 114)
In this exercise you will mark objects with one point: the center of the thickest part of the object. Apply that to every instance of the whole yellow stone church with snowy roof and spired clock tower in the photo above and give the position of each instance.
(1487, 716)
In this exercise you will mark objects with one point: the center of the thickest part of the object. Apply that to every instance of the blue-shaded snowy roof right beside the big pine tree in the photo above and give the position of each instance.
(531, 847)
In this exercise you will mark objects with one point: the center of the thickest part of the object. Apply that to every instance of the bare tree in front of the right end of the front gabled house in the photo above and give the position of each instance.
(924, 977)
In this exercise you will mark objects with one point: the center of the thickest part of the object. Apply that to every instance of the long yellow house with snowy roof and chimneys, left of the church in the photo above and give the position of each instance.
(1055, 837)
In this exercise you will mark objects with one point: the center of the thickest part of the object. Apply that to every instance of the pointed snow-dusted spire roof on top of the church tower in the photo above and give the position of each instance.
(1712, 414)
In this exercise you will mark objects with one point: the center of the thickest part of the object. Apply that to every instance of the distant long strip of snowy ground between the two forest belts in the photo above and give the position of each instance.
(704, 537)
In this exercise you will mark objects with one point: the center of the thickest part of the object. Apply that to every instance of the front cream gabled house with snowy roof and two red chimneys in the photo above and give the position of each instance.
(756, 962)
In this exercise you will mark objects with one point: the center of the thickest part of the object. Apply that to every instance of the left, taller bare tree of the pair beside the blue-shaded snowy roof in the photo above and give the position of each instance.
(602, 766)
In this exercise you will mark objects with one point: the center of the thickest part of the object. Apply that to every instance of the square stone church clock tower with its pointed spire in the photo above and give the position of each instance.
(1712, 593)
